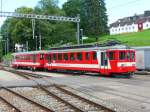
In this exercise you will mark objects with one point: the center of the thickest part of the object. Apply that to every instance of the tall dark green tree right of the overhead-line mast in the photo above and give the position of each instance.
(94, 17)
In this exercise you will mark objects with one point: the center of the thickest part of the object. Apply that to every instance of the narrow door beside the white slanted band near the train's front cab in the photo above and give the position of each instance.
(104, 62)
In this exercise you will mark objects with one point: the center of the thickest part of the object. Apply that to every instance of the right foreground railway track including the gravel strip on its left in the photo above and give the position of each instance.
(61, 100)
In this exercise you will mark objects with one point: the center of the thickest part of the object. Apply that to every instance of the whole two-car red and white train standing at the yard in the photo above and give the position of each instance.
(104, 60)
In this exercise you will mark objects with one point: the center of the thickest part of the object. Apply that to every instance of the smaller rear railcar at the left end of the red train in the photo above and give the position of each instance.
(32, 60)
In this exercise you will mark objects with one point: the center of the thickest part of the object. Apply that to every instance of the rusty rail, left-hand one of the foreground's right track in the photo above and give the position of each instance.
(60, 99)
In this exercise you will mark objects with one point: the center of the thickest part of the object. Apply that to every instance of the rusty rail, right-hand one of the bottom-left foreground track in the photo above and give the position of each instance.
(29, 100)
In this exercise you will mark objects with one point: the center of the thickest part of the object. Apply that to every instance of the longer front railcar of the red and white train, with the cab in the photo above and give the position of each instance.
(104, 60)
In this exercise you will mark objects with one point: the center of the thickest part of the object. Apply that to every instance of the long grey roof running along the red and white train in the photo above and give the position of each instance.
(78, 48)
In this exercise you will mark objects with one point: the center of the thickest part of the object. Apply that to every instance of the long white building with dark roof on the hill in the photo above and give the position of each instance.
(131, 24)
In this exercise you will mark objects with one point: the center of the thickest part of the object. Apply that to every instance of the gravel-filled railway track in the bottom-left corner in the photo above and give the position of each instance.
(20, 103)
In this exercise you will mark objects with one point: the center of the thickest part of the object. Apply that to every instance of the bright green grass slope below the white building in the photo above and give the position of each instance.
(132, 39)
